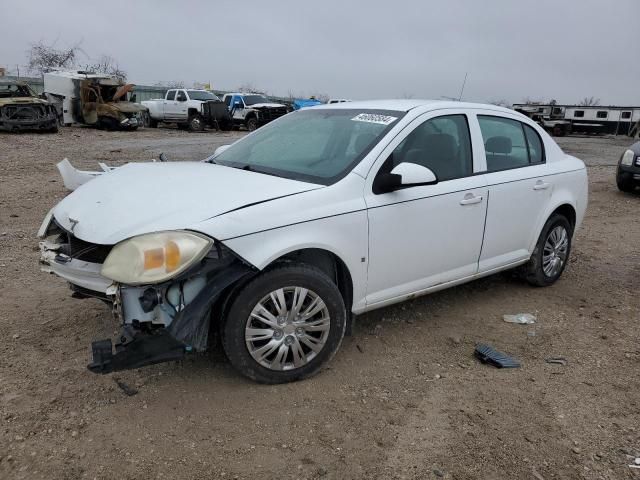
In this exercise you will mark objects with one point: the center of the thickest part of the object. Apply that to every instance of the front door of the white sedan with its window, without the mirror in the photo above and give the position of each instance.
(423, 236)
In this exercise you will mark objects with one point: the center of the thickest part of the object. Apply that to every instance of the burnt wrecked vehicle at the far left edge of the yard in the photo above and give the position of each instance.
(22, 109)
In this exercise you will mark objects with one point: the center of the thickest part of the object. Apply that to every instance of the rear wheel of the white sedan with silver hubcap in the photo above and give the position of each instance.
(551, 254)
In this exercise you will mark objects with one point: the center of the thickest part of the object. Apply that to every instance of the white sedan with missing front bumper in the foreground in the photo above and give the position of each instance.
(278, 240)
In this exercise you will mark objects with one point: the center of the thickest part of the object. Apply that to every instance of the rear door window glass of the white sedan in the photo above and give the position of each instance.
(509, 143)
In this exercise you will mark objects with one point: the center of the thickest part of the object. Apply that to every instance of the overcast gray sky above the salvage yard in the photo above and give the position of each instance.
(511, 49)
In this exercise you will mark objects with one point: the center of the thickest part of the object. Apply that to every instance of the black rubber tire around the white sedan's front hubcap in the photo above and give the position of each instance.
(283, 276)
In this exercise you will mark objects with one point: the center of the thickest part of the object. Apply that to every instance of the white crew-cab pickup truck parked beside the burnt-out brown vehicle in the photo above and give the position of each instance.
(188, 108)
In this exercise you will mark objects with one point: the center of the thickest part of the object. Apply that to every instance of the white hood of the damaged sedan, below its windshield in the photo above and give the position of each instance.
(150, 197)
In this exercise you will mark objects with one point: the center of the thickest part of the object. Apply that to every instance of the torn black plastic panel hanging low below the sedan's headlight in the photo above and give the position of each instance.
(143, 349)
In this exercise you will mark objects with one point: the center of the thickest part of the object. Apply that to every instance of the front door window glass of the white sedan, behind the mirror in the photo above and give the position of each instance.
(441, 144)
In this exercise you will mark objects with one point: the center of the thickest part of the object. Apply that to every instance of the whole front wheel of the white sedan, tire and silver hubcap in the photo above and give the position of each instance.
(285, 324)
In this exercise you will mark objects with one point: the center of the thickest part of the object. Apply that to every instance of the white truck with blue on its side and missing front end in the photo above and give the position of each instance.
(252, 110)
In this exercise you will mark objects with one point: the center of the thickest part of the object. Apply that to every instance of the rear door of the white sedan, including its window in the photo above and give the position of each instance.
(519, 189)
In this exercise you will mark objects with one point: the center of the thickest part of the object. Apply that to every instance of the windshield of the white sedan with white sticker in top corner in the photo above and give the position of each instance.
(318, 146)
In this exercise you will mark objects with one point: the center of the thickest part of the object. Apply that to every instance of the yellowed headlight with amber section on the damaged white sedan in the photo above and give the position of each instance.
(154, 257)
